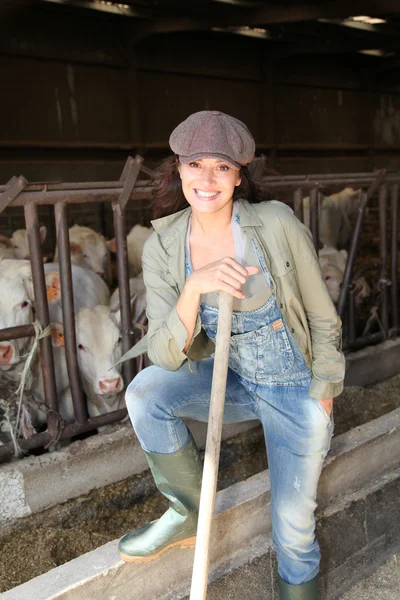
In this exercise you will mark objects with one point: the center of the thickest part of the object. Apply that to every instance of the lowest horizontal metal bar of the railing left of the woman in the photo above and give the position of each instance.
(43, 439)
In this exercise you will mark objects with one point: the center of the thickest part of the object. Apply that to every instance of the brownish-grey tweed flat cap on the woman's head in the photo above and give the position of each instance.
(213, 134)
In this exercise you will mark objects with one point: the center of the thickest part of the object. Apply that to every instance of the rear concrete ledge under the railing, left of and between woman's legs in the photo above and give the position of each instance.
(35, 483)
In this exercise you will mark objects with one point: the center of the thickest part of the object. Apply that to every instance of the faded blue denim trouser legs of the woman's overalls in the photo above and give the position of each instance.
(297, 431)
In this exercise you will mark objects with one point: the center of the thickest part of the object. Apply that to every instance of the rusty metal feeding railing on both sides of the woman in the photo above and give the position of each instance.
(18, 192)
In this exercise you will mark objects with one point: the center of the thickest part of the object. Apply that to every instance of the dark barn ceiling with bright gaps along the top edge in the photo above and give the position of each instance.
(289, 26)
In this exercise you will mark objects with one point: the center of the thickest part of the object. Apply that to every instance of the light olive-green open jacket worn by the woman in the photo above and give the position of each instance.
(300, 290)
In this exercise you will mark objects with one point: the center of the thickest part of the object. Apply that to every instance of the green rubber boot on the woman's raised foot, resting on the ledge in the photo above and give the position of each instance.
(178, 477)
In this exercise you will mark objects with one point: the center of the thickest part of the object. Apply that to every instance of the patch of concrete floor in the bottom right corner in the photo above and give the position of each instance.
(384, 584)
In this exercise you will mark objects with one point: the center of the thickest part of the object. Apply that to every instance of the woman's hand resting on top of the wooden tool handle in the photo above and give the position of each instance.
(225, 275)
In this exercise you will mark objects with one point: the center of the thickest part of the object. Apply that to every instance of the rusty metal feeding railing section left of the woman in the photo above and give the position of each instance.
(20, 193)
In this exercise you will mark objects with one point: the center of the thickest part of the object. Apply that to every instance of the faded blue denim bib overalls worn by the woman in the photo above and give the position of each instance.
(267, 380)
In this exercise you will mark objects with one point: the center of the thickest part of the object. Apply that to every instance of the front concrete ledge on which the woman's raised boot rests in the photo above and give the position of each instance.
(242, 515)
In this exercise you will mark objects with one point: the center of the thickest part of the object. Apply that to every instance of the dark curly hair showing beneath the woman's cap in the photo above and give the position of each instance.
(168, 197)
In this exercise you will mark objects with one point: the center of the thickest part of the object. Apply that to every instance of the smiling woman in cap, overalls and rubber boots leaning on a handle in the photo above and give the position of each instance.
(285, 363)
